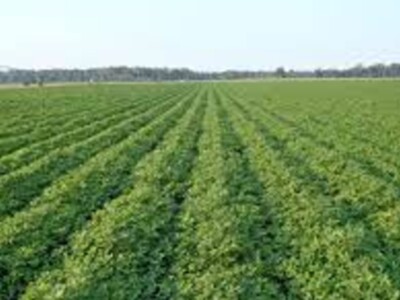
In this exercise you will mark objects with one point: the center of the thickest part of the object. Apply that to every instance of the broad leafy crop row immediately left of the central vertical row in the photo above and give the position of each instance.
(131, 239)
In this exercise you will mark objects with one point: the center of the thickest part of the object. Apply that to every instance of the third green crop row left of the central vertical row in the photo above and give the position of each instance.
(33, 178)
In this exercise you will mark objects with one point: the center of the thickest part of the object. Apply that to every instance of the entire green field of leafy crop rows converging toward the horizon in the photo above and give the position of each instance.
(231, 190)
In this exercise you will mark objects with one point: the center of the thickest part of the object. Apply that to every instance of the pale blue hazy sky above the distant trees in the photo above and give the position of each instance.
(200, 34)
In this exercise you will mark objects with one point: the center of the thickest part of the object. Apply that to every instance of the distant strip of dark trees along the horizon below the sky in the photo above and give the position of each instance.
(28, 77)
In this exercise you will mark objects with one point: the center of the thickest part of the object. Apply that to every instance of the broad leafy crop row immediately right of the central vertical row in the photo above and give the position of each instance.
(323, 257)
